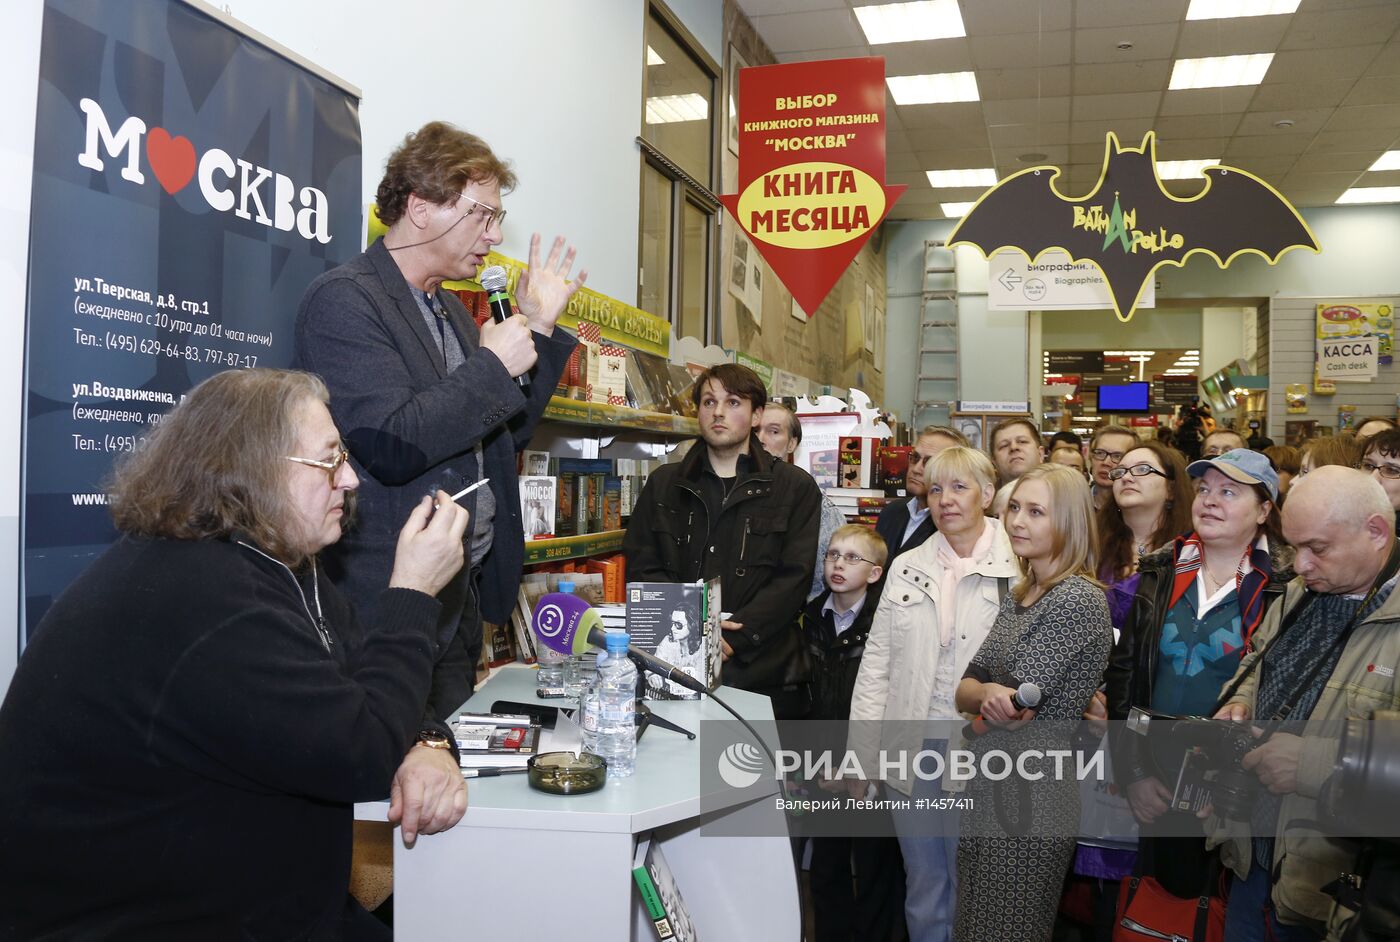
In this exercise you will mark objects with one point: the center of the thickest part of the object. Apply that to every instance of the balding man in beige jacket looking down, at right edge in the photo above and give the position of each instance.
(1319, 657)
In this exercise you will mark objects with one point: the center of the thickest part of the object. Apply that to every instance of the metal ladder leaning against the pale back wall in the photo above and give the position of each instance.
(937, 377)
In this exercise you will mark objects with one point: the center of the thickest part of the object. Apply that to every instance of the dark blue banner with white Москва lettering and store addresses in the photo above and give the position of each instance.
(188, 184)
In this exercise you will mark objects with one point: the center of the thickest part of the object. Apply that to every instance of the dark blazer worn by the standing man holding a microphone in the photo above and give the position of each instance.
(411, 428)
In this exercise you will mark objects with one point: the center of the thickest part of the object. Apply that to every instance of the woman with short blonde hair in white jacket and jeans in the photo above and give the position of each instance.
(937, 608)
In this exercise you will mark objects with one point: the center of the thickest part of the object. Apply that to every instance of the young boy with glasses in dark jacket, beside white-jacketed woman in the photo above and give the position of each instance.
(834, 628)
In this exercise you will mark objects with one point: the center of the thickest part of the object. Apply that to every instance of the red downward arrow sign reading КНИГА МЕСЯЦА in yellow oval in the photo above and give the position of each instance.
(813, 169)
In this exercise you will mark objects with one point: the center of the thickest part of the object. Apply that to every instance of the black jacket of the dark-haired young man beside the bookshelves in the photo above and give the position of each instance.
(764, 538)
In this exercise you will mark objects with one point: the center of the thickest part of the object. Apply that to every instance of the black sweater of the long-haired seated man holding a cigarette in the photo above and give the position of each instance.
(181, 751)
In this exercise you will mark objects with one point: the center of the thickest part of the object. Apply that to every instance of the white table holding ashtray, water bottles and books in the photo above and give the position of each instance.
(523, 864)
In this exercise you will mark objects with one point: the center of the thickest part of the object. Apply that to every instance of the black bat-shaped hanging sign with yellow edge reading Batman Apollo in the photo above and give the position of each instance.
(1129, 226)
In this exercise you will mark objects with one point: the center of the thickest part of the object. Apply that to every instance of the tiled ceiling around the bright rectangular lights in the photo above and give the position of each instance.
(1053, 82)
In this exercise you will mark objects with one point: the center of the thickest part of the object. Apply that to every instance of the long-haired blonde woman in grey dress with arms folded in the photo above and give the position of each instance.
(1053, 631)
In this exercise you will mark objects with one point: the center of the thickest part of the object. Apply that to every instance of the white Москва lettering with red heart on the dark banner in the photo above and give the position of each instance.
(173, 162)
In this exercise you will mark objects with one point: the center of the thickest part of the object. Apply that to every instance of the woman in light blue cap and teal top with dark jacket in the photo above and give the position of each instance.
(1198, 604)
